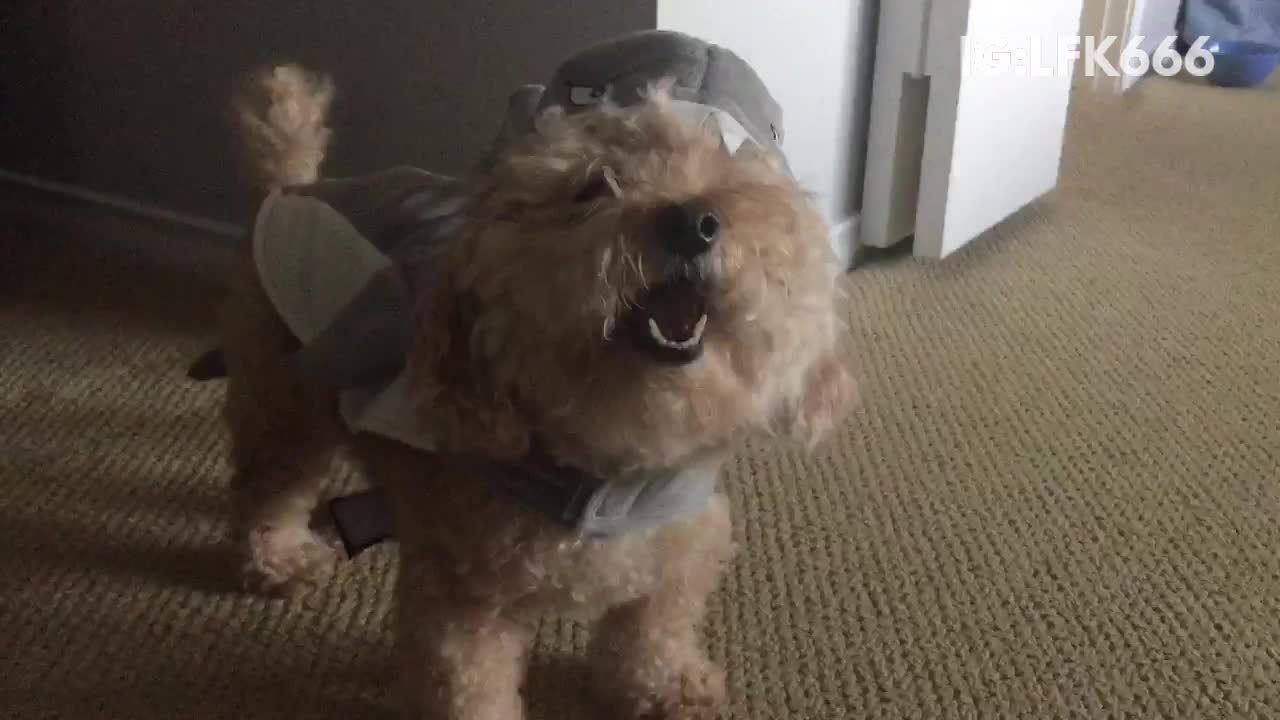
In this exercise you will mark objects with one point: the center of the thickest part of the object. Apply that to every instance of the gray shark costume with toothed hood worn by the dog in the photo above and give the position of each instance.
(333, 259)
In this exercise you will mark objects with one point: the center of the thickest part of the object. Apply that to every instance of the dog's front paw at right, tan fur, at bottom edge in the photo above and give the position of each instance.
(693, 692)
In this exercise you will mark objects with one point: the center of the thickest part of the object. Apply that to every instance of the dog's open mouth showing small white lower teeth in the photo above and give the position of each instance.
(670, 320)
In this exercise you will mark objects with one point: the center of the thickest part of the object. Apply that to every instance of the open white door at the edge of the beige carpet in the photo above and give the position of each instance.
(967, 125)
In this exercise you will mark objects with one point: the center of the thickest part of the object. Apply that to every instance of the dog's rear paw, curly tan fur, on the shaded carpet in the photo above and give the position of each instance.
(281, 562)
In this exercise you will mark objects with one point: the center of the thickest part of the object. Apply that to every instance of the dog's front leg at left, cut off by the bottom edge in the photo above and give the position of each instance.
(461, 662)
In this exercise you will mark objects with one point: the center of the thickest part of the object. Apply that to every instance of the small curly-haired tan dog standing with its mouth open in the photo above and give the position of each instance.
(621, 294)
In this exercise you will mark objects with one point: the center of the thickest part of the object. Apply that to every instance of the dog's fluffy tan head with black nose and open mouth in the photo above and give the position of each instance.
(628, 293)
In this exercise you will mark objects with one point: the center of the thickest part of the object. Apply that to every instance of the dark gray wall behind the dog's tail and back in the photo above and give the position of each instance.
(130, 97)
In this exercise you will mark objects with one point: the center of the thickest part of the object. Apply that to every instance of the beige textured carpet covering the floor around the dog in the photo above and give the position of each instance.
(1060, 498)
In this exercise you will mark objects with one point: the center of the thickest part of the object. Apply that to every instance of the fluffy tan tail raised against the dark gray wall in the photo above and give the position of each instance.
(282, 115)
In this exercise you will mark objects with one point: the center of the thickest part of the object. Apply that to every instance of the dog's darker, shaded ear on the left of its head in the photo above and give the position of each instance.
(455, 394)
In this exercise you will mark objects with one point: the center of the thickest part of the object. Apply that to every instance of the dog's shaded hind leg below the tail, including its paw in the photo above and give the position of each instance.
(284, 436)
